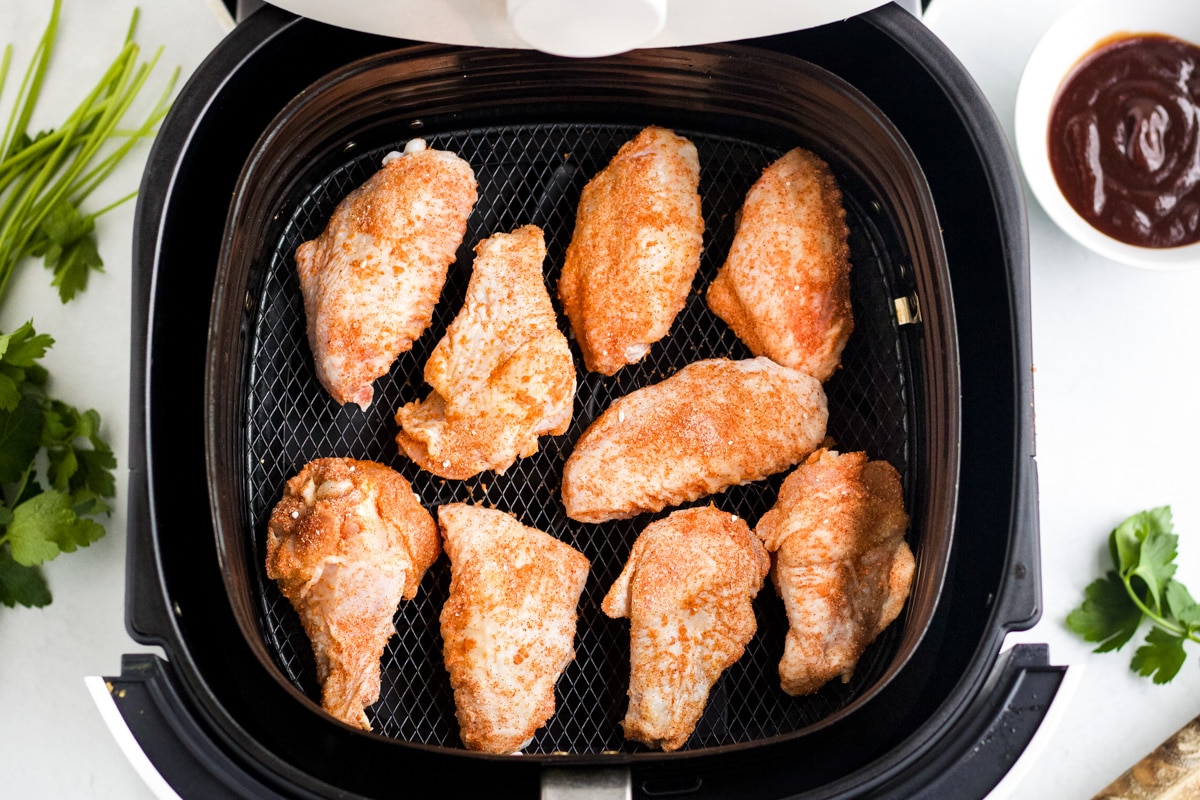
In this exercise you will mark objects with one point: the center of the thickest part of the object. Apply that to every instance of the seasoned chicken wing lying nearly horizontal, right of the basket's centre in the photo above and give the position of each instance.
(712, 425)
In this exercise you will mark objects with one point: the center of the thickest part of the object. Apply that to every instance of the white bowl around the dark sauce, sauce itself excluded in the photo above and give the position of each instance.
(1065, 44)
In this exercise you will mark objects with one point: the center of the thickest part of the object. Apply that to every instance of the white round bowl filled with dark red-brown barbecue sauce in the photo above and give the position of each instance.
(1108, 129)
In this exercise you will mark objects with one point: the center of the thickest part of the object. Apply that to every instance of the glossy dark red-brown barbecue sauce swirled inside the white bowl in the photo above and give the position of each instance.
(1125, 141)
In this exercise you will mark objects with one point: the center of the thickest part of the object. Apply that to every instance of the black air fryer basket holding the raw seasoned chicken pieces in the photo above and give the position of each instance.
(287, 117)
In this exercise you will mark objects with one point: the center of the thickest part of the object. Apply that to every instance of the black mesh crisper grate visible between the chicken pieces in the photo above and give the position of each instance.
(535, 175)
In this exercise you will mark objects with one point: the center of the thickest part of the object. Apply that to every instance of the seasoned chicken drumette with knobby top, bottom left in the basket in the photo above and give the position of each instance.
(346, 544)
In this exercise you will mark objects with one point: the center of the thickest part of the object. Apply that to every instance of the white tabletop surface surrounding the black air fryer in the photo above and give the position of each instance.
(1117, 352)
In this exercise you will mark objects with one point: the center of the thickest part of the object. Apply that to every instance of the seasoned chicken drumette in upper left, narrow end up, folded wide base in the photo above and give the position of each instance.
(502, 376)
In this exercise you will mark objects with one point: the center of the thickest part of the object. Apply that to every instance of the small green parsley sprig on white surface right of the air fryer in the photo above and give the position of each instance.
(1142, 587)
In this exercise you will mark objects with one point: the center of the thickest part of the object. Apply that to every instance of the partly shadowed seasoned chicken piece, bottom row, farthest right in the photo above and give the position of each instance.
(841, 563)
